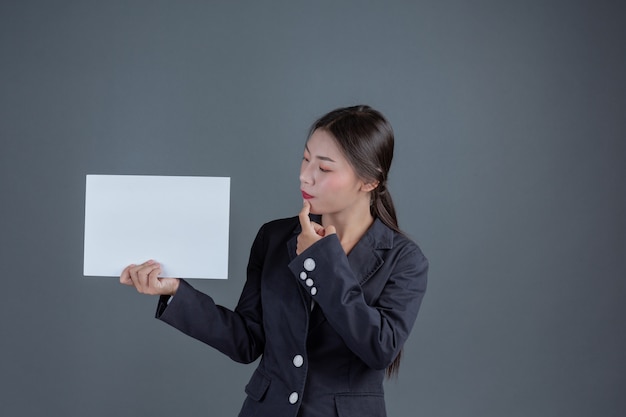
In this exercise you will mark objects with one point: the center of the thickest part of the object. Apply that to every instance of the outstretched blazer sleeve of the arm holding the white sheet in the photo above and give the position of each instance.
(238, 334)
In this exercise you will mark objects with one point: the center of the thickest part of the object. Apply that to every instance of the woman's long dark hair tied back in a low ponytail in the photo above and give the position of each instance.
(366, 139)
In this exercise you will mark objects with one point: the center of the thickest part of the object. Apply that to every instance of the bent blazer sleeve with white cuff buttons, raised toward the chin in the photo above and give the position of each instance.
(377, 332)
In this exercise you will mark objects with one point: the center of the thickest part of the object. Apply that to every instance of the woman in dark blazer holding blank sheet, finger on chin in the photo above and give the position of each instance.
(331, 295)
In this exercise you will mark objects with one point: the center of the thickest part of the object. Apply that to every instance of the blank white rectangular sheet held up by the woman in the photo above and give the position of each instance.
(180, 222)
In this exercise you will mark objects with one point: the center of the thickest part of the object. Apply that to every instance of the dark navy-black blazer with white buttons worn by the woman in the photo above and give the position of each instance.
(326, 324)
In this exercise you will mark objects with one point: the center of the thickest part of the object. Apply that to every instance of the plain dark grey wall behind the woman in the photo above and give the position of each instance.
(509, 172)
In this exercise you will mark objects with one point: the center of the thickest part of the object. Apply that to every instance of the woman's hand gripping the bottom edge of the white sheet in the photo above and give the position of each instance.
(145, 279)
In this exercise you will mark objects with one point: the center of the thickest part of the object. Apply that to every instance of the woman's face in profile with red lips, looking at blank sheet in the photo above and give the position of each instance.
(327, 180)
